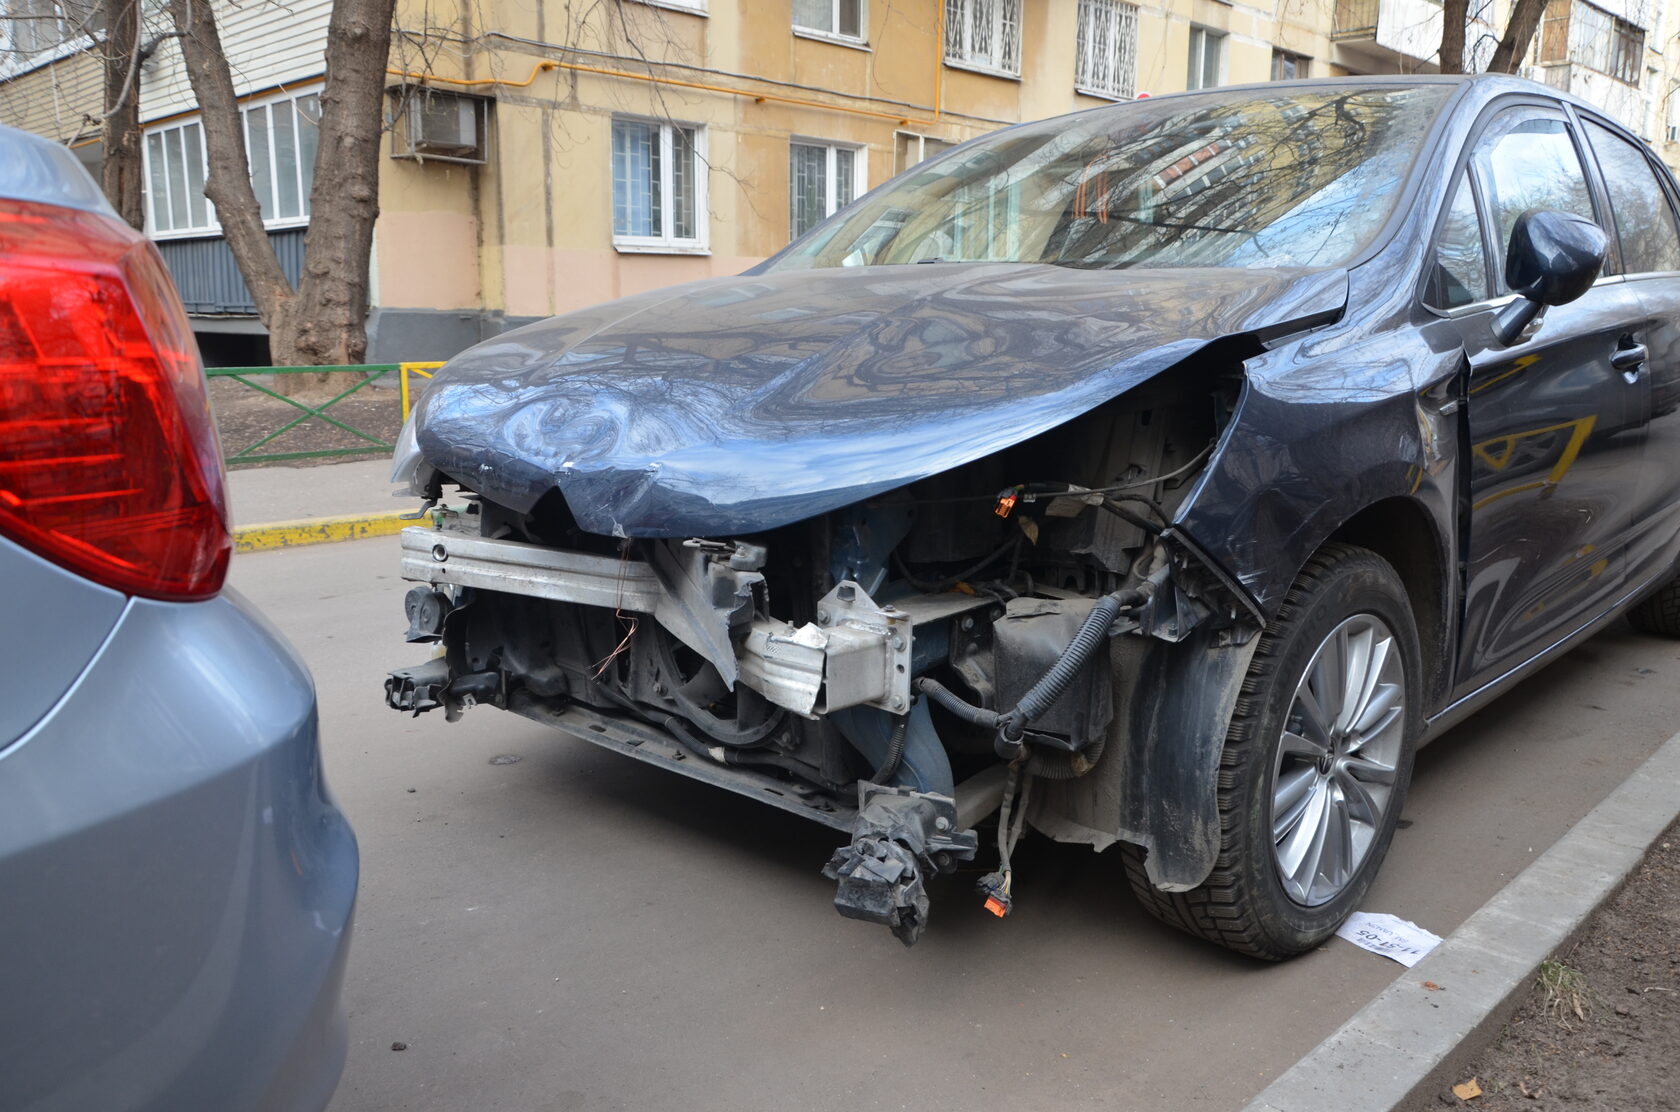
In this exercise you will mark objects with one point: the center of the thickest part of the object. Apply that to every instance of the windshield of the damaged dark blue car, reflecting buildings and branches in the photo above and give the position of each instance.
(1288, 179)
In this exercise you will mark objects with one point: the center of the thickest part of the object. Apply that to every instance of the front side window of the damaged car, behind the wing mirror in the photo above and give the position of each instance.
(1528, 160)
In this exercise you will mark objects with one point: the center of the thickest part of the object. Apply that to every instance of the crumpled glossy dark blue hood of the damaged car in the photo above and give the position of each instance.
(743, 404)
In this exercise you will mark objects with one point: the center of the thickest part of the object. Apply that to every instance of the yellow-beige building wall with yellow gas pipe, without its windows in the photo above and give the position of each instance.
(530, 233)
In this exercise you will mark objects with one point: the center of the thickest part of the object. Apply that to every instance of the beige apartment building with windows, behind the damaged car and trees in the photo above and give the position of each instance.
(549, 155)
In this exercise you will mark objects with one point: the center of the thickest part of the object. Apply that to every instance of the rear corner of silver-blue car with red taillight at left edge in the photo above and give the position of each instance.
(176, 883)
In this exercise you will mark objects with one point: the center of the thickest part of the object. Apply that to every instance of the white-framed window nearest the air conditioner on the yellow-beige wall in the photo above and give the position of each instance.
(659, 186)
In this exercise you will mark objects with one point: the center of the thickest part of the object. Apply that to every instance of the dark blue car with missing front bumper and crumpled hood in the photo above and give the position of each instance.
(1158, 476)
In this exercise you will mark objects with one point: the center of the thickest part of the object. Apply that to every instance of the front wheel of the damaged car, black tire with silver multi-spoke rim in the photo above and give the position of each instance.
(1264, 898)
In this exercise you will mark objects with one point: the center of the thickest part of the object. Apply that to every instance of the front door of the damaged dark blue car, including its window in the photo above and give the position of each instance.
(1555, 427)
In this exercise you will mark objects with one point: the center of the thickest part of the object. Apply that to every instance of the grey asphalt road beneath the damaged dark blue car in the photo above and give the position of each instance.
(582, 931)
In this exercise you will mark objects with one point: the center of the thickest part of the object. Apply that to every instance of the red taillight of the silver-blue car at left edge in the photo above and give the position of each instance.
(110, 463)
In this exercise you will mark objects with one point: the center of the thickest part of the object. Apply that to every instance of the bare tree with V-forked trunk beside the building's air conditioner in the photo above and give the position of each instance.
(323, 322)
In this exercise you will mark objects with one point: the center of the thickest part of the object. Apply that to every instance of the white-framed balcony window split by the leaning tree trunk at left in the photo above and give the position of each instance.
(281, 142)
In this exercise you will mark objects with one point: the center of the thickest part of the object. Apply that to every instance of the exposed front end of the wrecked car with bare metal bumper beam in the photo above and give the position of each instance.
(900, 669)
